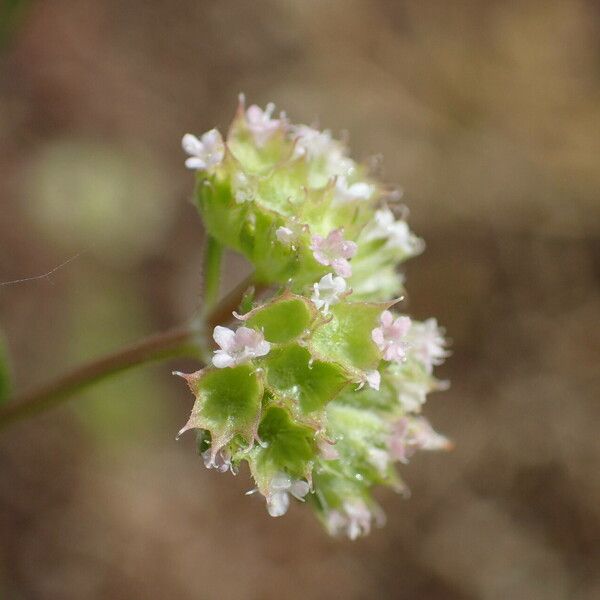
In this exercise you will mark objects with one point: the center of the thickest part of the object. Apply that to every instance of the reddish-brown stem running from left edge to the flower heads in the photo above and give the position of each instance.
(177, 342)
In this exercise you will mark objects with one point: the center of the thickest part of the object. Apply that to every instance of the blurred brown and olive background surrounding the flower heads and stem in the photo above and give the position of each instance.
(486, 113)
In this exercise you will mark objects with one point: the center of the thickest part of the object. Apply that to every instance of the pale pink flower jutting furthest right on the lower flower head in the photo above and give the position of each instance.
(410, 434)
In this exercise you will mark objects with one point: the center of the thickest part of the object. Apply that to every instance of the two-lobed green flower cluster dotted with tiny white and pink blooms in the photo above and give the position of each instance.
(320, 389)
